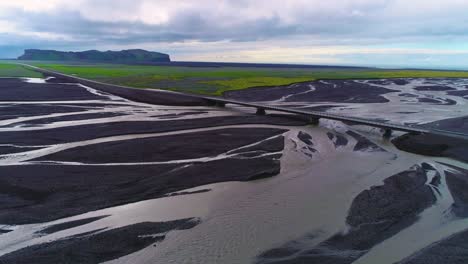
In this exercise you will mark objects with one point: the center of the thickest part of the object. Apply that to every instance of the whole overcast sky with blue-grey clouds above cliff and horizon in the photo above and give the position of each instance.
(412, 33)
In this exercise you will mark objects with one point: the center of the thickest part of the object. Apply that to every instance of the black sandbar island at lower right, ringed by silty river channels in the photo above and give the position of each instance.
(375, 215)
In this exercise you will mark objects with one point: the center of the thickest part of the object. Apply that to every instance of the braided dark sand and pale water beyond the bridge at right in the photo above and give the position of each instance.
(409, 101)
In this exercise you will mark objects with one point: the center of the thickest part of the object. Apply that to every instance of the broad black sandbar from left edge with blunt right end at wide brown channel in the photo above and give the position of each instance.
(40, 193)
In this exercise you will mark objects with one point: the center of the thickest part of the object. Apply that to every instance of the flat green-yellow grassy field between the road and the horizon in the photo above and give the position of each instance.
(216, 80)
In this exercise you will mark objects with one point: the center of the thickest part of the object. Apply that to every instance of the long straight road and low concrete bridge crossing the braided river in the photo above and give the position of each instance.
(161, 96)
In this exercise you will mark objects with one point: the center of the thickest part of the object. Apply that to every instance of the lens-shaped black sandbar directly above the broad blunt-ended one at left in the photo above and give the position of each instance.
(169, 148)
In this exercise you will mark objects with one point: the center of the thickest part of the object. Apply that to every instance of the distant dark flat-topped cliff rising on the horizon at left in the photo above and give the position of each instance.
(124, 56)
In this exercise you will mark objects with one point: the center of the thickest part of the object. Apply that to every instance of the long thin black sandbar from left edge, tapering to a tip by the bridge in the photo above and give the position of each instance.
(91, 131)
